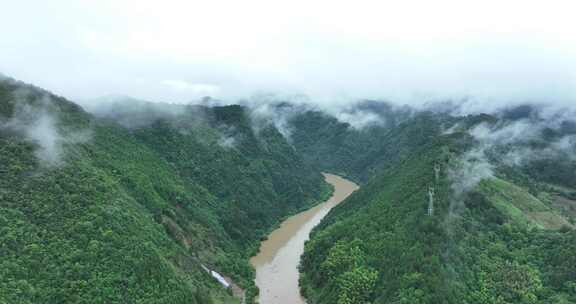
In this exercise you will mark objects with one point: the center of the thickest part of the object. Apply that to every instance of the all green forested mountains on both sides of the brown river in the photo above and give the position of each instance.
(131, 200)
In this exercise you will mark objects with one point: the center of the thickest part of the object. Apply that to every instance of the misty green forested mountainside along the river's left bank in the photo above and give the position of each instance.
(94, 211)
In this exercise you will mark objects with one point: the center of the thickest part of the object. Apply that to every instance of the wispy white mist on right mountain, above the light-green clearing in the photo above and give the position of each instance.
(516, 143)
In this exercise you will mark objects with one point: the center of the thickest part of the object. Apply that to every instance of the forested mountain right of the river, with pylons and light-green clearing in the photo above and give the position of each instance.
(500, 229)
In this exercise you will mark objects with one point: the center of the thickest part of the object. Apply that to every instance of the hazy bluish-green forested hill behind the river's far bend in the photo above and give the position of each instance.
(359, 154)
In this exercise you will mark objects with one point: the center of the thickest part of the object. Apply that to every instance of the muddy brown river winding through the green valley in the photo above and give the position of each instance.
(277, 263)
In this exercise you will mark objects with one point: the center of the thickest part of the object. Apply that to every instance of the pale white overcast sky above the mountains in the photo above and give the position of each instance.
(333, 50)
